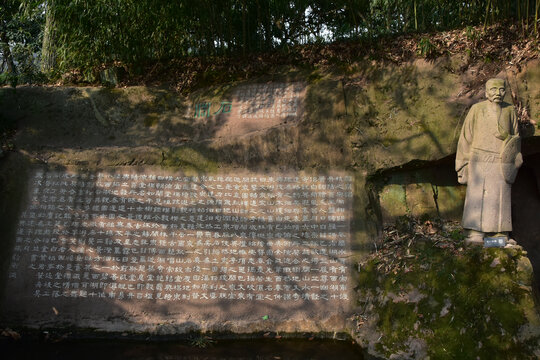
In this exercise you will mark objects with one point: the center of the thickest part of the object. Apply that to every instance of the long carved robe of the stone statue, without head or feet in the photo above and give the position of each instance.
(478, 162)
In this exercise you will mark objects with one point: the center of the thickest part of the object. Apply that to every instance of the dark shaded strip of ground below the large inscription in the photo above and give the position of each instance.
(55, 344)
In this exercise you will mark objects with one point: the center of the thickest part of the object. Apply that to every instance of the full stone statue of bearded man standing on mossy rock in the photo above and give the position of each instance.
(487, 160)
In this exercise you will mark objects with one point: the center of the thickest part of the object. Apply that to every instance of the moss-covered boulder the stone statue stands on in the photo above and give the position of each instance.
(423, 294)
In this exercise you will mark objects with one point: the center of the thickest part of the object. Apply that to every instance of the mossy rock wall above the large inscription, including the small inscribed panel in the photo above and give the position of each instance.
(392, 128)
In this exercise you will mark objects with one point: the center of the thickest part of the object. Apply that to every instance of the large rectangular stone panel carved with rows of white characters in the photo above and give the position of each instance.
(179, 239)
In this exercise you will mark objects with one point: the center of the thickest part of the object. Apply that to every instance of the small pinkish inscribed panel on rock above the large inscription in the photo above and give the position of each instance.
(252, 108)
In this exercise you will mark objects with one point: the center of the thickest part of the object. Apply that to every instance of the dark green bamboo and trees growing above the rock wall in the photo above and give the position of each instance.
(85, 35)
